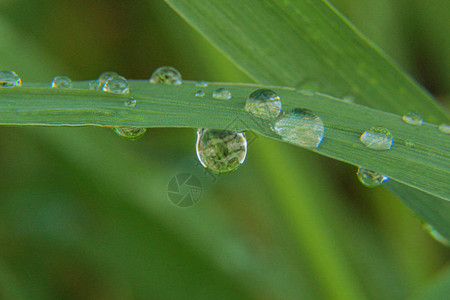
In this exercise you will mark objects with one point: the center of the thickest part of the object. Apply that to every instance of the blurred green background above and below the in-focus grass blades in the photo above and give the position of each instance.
(85, 214)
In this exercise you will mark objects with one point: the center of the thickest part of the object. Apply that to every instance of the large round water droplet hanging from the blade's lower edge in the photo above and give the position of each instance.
(221, 151)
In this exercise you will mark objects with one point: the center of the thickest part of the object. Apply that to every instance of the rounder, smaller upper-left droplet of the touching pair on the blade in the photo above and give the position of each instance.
(263, 103)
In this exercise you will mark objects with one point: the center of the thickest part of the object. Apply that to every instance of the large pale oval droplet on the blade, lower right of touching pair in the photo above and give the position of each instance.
(301, 127)
